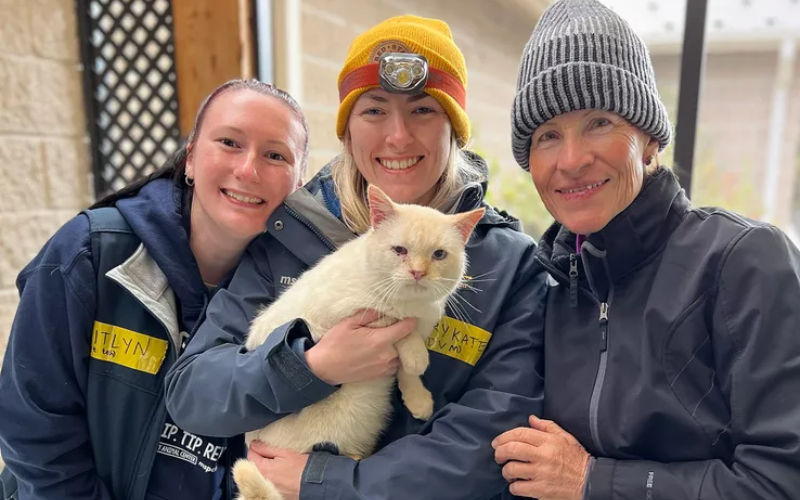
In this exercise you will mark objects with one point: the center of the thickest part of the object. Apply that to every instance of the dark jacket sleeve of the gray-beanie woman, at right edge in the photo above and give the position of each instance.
(756, 332)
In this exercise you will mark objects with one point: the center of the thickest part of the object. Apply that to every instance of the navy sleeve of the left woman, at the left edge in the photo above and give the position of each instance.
(44, 436)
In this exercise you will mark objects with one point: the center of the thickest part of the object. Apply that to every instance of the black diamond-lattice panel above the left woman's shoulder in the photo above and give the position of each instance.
(106, 173)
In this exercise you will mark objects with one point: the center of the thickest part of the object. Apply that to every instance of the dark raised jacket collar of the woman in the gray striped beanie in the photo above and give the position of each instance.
(628, 239)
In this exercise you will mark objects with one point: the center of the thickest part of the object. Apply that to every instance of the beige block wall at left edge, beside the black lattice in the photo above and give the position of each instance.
(44, 161)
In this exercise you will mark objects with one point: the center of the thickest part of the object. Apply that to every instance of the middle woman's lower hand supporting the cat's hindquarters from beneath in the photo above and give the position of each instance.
(283, 467)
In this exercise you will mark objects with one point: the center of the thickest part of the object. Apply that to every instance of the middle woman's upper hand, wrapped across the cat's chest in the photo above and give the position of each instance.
(354, 352)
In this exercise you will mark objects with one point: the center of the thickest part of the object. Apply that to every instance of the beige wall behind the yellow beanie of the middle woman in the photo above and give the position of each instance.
(491, 37)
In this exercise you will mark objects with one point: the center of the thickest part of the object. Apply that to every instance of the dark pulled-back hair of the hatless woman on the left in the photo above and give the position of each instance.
(175, 166)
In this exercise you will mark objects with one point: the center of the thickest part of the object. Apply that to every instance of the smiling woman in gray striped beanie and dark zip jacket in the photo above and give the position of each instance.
(671, 348)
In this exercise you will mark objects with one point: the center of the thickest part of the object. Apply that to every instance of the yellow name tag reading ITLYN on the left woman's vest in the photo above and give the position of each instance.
(128, 348)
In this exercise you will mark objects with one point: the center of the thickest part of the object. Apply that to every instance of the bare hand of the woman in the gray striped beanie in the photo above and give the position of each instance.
(543, 461)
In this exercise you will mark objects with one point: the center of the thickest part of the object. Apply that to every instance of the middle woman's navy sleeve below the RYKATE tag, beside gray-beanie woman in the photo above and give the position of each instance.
(451, 458)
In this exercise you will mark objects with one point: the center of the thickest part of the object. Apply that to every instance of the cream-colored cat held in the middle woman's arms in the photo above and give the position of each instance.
(408, 265)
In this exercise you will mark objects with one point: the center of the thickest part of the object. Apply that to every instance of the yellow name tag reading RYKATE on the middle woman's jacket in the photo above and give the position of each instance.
(459, 340)
